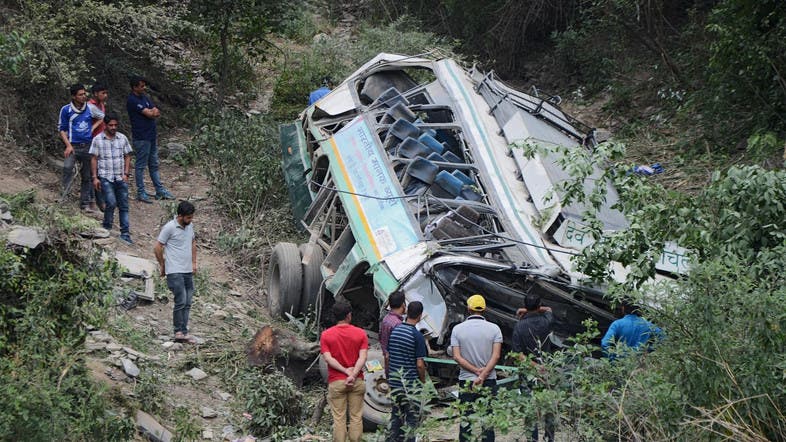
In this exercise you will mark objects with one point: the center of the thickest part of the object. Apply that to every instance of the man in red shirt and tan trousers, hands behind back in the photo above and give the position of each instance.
(344, 348)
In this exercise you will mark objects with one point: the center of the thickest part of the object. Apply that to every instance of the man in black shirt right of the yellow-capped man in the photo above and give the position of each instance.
(531, 336)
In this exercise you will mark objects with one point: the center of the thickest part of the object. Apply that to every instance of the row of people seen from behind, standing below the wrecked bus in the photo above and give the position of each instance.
(476, 345)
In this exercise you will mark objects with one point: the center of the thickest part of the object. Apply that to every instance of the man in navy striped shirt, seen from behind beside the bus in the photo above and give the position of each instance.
(407, 348)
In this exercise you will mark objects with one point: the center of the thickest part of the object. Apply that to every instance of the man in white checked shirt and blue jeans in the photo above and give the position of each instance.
(110, 164)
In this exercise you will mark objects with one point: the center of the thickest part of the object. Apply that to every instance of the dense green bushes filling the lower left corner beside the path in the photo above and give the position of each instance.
(47, 296)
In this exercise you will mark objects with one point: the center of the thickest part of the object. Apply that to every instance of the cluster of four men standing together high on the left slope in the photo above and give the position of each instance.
(92, 139)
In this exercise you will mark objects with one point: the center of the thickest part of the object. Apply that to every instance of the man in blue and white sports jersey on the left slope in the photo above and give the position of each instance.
(75, 127)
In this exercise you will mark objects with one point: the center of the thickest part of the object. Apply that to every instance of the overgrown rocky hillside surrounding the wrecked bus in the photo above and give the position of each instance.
(696, 86)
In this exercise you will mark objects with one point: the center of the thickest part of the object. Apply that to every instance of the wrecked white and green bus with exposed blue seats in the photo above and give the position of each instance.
(406, 177)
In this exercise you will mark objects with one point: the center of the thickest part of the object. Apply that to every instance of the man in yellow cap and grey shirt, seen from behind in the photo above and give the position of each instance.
(477, 345)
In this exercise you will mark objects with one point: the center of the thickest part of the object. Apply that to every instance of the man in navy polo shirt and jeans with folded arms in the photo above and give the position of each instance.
(143, 115)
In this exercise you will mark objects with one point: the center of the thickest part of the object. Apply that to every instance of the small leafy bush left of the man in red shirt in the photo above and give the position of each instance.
(275, 404)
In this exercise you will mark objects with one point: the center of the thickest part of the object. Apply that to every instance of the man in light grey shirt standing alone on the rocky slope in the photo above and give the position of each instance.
(175, 251)
